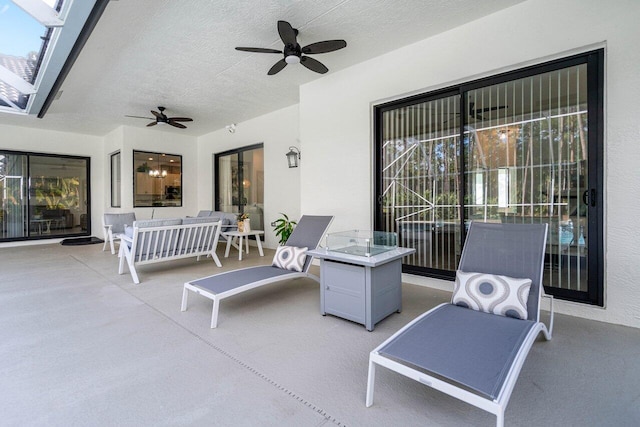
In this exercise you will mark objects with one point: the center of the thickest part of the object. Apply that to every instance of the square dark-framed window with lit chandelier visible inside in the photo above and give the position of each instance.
(157, 179)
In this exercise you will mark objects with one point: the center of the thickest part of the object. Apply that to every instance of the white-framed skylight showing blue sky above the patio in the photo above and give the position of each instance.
(39, 42)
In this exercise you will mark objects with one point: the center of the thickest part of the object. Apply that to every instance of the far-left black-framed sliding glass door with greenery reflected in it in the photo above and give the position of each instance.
(43, 196)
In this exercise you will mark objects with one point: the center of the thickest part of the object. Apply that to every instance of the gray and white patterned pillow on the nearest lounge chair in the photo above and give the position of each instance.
(491, 293)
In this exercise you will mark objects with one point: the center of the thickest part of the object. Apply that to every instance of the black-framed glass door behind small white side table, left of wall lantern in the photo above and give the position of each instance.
(240, 183)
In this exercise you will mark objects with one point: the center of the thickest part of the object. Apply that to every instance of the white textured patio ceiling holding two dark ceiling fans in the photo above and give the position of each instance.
(180, 55)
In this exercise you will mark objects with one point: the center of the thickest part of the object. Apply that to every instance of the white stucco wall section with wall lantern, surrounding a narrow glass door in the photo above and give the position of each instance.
(278, 131)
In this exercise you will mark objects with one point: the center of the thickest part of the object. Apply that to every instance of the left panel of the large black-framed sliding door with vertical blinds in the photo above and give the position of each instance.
(420, 181)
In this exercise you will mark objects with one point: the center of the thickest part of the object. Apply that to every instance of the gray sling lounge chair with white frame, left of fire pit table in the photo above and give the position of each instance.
(308, 233)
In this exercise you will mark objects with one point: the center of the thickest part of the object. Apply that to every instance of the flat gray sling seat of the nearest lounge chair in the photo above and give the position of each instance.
(472, 348)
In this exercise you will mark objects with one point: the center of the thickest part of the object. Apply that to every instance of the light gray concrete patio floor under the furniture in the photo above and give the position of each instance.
(82, 345)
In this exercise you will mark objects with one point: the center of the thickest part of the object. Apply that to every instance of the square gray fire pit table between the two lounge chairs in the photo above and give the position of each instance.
(359, 288)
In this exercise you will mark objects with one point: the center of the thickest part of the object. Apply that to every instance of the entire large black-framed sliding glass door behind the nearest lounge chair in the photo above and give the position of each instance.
(522, 147)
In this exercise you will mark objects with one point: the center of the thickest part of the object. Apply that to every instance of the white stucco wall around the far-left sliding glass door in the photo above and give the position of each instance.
(42, 141)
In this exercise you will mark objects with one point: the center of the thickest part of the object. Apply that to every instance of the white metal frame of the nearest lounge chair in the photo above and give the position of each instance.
(496, 406)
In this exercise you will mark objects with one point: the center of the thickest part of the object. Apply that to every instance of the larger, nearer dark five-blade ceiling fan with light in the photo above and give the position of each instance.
(293, 53)
